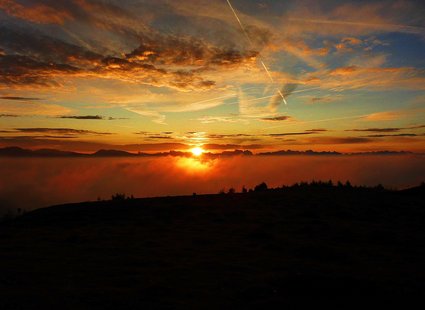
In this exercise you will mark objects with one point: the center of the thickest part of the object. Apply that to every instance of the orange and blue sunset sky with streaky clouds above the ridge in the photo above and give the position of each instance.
(159, 75)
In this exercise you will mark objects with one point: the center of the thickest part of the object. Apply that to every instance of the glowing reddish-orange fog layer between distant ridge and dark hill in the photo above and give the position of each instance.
(35, 183)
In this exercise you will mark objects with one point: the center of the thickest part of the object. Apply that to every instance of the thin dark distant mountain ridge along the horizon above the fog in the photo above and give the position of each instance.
(14, 151)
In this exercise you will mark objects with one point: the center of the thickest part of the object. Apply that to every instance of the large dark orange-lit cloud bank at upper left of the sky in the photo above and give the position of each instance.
(178, 62)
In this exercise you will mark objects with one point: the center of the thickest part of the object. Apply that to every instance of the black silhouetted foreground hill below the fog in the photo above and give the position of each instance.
(252, 250)
